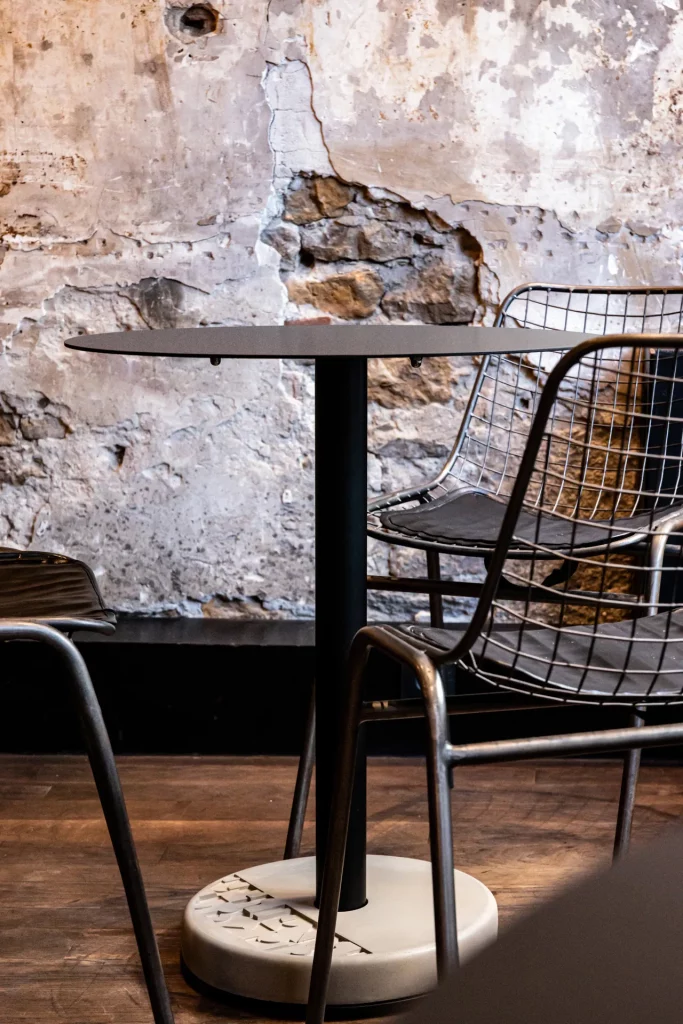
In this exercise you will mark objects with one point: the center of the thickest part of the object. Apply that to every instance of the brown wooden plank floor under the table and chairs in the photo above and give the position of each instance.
(66, 953)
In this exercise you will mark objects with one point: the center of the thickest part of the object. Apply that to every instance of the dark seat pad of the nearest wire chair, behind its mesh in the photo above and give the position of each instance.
(626, 660)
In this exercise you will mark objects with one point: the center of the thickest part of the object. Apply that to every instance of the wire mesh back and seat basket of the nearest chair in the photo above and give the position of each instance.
(604, 498)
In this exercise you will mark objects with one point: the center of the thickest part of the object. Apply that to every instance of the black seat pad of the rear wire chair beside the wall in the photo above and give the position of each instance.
(474, 520)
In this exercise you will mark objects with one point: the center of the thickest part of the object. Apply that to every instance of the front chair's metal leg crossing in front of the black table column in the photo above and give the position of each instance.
(336, 849)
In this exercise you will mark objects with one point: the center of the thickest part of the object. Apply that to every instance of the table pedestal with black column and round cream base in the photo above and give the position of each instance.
(252, 933)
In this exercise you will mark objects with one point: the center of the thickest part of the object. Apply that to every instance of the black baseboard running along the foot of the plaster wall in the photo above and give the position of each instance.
(232, 688)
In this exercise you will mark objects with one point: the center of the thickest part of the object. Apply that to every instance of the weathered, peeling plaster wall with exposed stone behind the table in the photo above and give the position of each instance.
(258, 162)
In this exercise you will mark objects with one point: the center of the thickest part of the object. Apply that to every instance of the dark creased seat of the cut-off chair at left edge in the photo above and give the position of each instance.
(52, 589)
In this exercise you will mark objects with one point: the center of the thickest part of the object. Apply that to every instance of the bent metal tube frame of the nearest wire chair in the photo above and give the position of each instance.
(425, 652)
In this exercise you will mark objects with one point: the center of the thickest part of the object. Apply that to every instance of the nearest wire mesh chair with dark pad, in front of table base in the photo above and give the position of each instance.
(596, 646)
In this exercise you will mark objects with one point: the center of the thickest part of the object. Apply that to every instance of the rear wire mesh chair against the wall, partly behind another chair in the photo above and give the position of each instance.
(460, 511)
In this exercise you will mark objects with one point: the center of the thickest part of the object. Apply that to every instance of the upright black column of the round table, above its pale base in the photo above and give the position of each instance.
(341, 494)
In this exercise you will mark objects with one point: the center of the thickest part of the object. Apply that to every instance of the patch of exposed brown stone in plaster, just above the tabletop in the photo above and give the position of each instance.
(360, 255)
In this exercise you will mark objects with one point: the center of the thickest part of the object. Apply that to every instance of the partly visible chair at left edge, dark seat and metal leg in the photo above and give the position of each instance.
(46, 598)
